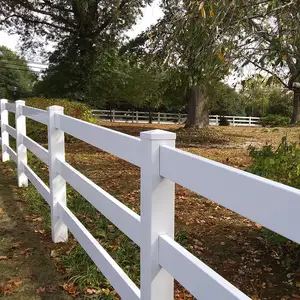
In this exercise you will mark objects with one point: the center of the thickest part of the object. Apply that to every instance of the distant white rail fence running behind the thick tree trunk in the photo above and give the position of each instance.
(167, 118)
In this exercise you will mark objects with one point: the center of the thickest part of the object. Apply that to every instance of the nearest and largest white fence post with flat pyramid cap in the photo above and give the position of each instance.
(157, 216)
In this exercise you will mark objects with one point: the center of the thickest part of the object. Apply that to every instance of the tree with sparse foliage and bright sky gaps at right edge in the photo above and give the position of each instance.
(270, 40)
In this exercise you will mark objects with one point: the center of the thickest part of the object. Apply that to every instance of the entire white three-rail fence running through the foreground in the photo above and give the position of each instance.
(271, 204)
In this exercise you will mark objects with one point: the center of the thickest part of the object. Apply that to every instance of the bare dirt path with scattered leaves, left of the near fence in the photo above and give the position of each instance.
(26, 268)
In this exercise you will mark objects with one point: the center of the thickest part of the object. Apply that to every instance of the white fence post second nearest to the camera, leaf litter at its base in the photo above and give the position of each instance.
(56, 148)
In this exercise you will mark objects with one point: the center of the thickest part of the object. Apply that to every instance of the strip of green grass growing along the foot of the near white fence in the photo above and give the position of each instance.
(80, 269)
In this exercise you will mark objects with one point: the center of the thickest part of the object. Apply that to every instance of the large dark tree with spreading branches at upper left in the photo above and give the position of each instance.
(81, 30)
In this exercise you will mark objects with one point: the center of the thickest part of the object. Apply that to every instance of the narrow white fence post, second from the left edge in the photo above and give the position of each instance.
(20, 148)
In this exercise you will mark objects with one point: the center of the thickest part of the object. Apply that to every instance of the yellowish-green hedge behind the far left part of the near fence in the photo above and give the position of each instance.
(38, 131)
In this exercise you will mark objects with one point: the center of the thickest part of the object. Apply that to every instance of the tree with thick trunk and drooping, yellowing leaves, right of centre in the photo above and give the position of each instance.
(193, 41)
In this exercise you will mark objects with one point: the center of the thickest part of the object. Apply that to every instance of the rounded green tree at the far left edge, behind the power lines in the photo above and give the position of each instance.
(14, 72)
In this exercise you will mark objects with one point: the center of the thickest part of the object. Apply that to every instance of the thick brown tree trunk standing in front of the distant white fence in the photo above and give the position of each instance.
(197, 112)
